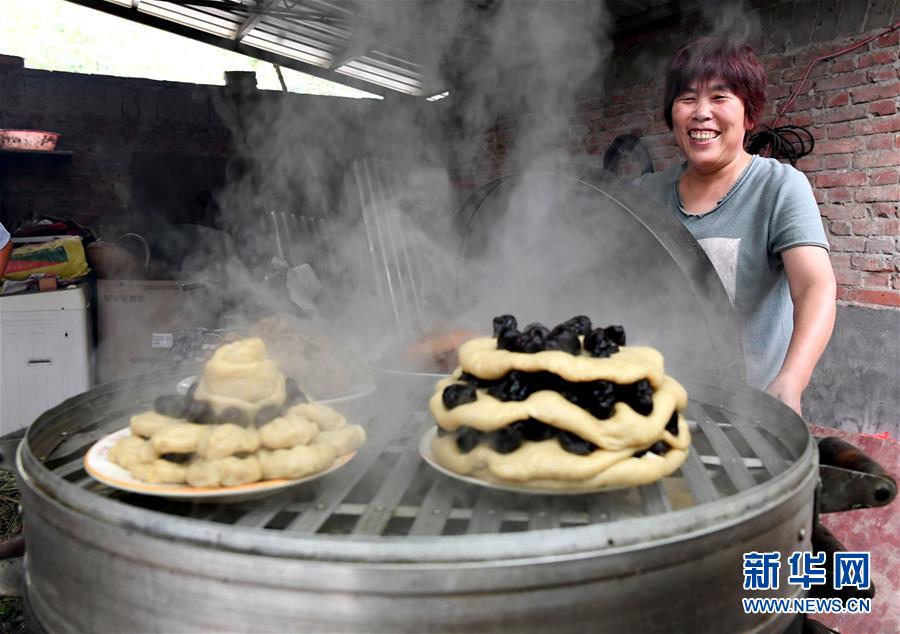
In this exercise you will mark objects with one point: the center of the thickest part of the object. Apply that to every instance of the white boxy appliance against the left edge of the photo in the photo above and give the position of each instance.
(45, 343)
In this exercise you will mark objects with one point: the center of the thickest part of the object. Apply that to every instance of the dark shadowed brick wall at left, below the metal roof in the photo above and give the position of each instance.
(129, 135)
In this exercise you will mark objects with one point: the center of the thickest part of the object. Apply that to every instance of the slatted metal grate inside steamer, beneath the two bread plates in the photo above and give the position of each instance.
(741, 440)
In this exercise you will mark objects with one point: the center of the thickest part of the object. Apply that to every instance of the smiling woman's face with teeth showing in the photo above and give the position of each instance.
(709, 122)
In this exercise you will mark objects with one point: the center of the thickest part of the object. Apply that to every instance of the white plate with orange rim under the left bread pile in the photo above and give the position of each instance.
(98, 465)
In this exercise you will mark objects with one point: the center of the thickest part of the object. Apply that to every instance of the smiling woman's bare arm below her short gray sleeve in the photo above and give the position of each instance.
(812, 285)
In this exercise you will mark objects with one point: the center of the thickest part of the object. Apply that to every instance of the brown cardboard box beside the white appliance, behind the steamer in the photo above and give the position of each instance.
(140, 323)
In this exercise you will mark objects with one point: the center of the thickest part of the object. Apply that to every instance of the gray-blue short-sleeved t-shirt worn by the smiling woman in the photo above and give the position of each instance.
(771, 208)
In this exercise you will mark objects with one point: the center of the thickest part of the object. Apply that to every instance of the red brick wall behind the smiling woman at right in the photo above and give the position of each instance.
(849, 103)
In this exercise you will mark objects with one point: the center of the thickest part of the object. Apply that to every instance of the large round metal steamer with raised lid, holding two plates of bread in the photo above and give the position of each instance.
(388, 544)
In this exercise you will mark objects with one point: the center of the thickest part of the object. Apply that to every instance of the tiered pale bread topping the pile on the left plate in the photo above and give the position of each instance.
(241, 375)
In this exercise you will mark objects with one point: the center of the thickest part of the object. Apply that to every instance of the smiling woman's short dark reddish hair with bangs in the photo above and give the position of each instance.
(732, 60)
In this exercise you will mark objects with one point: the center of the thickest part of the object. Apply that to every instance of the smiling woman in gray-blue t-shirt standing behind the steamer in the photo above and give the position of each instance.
(755, 217)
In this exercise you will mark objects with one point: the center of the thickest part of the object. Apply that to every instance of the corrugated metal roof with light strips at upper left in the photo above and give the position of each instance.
(377, 46)
